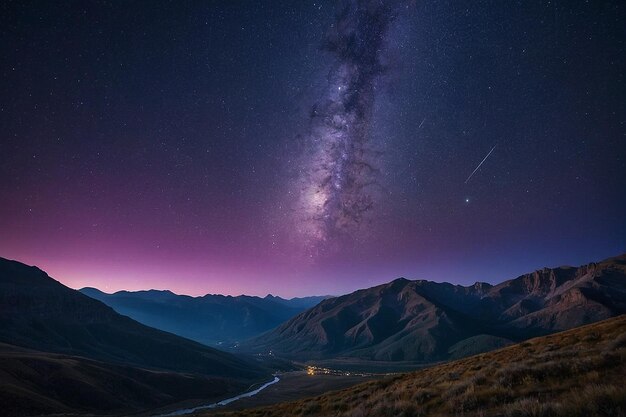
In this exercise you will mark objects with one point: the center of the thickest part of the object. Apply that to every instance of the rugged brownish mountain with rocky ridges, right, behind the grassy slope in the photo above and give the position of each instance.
(429, 321)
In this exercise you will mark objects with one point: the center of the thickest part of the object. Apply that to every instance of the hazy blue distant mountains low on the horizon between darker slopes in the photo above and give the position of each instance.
(210, 319)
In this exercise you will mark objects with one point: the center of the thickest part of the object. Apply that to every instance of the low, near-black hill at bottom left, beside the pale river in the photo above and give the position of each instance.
(39, 383)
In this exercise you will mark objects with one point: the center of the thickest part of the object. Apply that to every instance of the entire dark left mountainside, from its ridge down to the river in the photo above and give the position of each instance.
(71, 346)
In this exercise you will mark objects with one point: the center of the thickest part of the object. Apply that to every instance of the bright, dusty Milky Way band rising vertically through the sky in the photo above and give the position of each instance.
(339, 185)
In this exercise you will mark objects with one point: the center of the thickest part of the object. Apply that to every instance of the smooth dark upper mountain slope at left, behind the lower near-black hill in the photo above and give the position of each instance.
(40, 313)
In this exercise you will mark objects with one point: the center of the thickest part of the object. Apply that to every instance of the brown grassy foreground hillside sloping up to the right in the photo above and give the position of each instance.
(579, 372)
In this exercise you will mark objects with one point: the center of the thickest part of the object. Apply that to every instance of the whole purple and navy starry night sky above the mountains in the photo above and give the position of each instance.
(307, 147)
